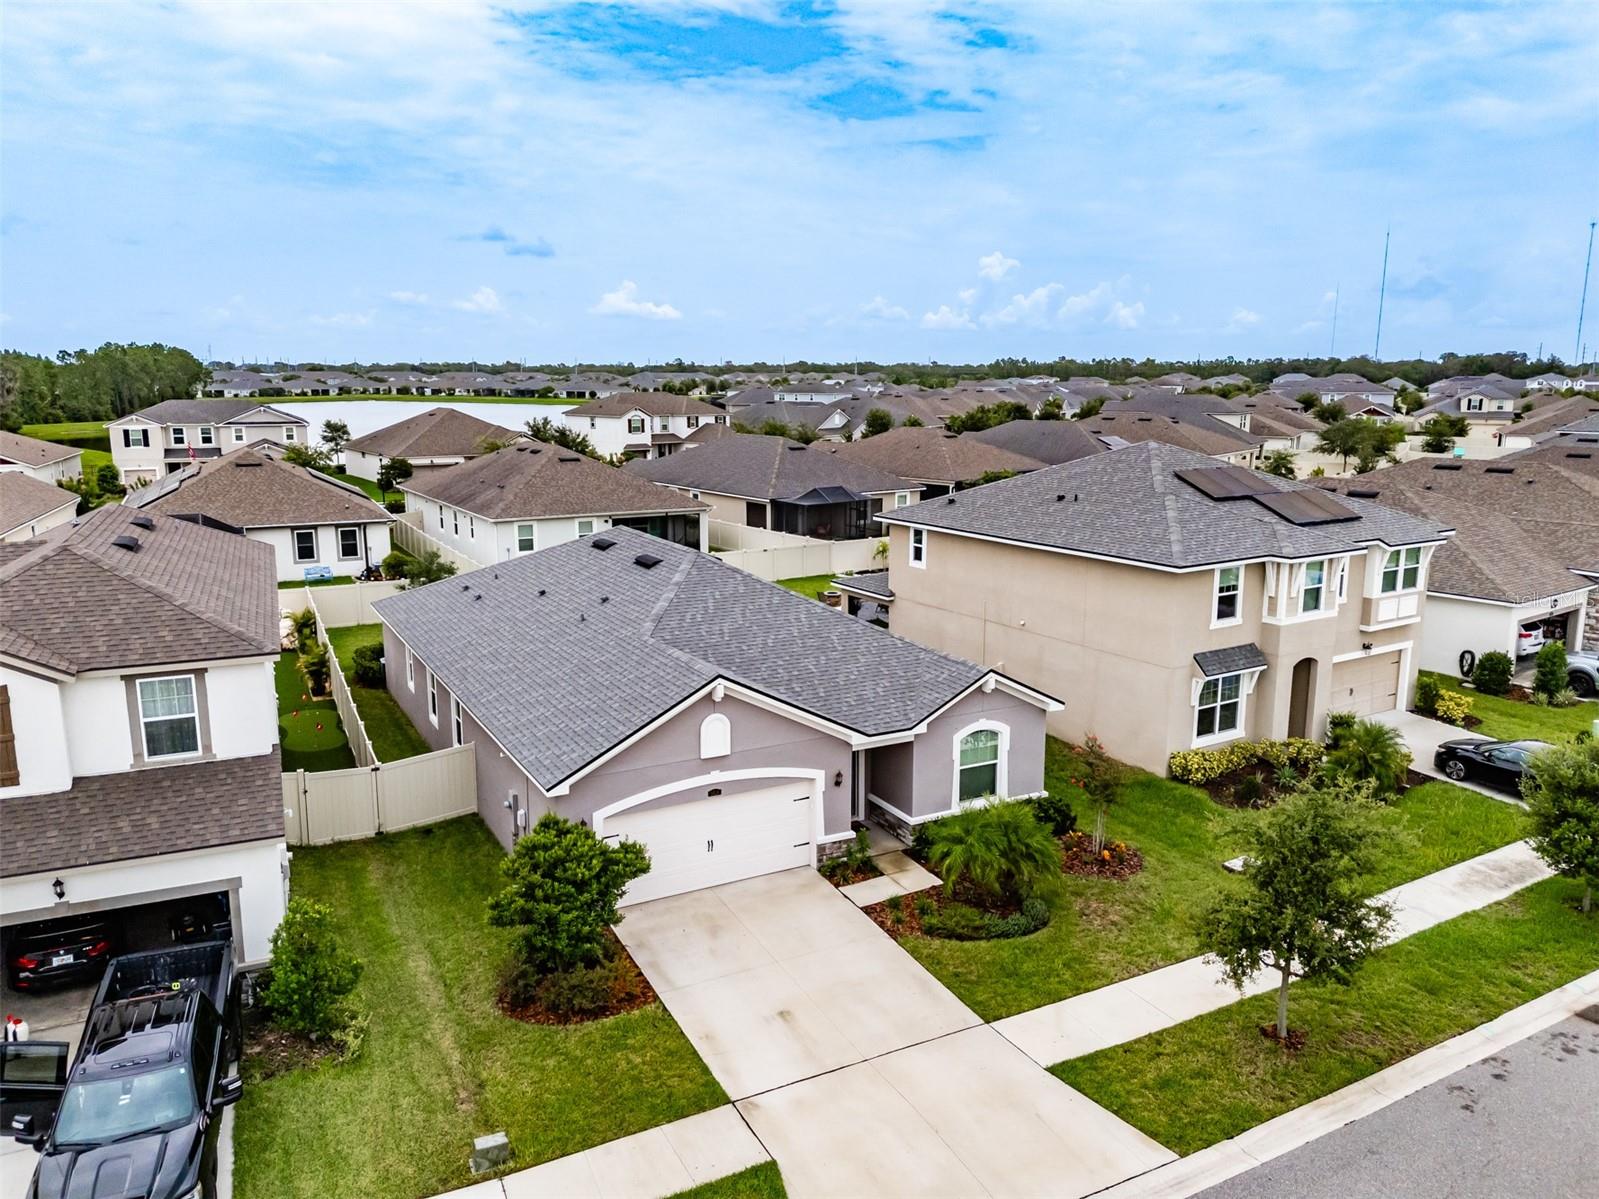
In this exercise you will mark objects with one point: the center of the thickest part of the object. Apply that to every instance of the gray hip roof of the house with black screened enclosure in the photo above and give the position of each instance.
(767, 469)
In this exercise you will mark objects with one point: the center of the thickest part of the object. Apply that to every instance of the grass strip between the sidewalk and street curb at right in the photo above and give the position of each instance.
(1214, 1077)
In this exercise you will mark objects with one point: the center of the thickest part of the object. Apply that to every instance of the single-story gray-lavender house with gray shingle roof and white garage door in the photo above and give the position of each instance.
(663, 696)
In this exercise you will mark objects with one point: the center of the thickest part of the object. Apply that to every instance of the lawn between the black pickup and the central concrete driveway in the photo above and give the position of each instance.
(439, 1064)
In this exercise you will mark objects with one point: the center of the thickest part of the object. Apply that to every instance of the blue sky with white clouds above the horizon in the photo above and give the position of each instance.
(794, 178)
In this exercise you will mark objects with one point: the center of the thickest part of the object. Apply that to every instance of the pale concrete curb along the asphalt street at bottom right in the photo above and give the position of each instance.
(1293, 1129)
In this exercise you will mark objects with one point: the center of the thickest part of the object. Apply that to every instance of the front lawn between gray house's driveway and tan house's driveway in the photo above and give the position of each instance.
(1107, 931)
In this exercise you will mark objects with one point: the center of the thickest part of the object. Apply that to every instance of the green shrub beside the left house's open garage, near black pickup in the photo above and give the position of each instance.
(313, 976)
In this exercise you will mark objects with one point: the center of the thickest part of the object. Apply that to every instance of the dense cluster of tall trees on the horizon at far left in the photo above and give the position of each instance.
(94, 384)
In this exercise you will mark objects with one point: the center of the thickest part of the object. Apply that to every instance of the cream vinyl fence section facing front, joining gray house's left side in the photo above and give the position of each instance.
(329, 807)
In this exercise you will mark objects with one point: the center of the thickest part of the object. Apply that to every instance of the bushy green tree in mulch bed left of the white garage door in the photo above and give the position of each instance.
(562, 893)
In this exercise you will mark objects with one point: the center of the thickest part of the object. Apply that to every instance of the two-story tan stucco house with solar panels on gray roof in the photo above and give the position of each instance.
(1171, 602)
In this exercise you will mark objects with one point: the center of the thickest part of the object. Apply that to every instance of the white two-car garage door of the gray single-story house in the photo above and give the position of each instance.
(719, 840)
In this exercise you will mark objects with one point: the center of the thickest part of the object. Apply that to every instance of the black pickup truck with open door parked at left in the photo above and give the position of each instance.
(140, 1110)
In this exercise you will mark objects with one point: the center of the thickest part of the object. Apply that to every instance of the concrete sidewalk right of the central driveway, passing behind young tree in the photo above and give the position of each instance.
(1170, 997)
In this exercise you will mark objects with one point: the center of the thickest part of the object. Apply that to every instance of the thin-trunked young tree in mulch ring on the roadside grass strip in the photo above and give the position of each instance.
(1301, 912)
